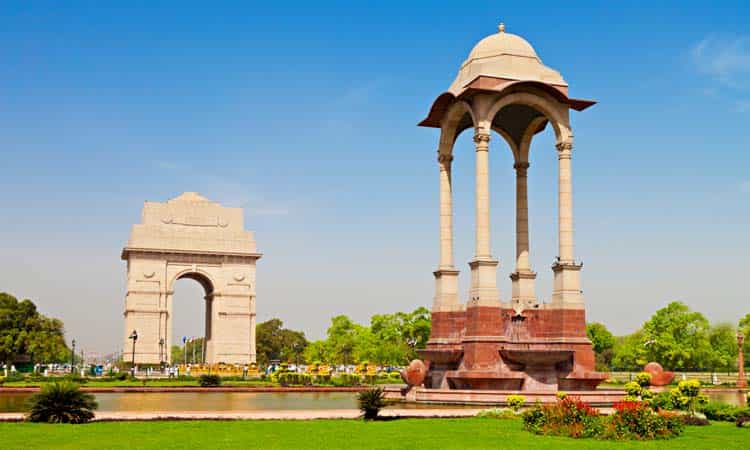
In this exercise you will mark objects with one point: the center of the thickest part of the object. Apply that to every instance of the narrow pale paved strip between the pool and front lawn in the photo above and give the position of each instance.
(266, 415)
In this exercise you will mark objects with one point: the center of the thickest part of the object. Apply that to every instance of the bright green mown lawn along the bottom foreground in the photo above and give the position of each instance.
(333, 434)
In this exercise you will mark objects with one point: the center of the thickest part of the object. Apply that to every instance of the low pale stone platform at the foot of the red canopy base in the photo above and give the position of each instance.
(598, 398)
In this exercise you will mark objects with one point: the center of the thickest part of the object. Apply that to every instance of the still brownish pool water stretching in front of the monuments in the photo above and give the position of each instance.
(247, 401)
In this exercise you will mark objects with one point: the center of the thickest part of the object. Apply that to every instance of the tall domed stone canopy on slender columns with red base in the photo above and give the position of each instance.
(492, 341)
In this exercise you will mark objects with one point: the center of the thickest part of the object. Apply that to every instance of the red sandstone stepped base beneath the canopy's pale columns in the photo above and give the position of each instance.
(539, 351)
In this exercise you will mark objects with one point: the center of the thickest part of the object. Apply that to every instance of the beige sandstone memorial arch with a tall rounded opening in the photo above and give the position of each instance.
(190, 237)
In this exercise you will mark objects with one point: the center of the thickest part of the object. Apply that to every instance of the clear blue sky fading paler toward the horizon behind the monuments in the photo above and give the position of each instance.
(305, 115)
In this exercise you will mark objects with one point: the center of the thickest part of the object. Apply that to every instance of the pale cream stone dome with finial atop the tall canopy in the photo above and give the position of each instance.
(508, 56)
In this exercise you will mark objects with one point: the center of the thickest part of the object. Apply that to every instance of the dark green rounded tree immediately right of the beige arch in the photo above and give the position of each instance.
(273, 341)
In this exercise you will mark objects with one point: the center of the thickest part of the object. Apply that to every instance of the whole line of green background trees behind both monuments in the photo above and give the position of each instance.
(675, 336)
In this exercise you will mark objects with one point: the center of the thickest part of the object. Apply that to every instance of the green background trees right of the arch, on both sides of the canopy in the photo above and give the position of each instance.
(675, 337)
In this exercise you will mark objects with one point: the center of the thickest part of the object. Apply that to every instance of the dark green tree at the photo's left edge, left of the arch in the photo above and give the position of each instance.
(24, 331)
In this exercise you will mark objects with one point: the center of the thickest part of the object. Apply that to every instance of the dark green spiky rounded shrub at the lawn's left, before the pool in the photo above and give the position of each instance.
(62, 402)
